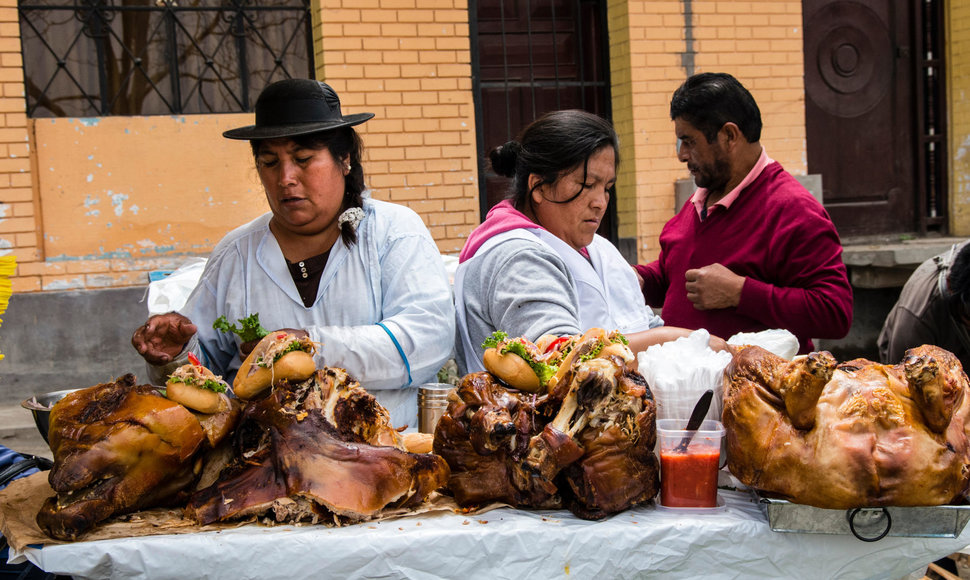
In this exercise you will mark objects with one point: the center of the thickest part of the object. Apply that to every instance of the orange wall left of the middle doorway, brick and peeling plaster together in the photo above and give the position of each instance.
(95, 203)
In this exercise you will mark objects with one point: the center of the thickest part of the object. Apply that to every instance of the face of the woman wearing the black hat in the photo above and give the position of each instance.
(304, 187)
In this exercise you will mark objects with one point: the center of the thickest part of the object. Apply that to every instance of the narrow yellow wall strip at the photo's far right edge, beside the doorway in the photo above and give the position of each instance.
(958, 103)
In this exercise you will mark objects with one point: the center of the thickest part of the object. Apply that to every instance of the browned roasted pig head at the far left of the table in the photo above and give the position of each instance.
(118, 447)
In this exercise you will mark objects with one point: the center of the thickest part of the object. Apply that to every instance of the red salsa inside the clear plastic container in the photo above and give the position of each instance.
(689, 479)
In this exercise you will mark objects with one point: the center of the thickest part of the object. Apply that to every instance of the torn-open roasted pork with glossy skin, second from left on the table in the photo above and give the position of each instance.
(320, 450)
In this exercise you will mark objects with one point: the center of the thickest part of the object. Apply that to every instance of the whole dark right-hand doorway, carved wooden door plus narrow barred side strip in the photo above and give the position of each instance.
(873, 107)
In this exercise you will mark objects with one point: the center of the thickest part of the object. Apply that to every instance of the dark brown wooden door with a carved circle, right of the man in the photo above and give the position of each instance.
(860, 109)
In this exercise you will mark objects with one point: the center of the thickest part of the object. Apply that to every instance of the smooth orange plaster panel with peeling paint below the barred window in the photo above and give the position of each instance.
(142, 187)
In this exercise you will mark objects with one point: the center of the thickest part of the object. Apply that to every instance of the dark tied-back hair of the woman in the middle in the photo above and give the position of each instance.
(551, 146)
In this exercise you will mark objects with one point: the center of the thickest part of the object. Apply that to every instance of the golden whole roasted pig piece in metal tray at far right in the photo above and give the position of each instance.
(849, 435)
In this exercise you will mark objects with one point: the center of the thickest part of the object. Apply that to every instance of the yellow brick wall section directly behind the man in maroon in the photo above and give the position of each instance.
(758, 42)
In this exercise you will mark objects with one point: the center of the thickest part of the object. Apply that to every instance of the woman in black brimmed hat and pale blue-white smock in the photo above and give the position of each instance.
(363, 278)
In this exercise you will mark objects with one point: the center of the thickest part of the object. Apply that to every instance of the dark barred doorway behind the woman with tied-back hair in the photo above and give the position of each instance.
(530, 57)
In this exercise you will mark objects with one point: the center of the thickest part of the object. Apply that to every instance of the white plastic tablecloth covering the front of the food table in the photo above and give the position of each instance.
(735, 542)
